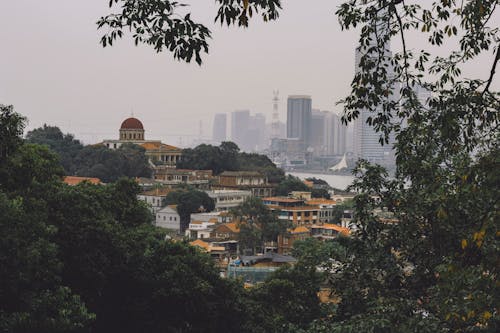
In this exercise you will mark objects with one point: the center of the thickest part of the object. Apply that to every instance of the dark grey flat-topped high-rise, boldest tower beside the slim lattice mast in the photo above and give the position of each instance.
(299, 118)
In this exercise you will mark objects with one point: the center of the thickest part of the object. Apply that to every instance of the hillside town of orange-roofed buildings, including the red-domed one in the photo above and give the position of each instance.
(217, 231)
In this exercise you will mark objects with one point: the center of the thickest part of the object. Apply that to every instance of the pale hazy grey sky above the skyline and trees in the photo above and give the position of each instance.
(53, 70)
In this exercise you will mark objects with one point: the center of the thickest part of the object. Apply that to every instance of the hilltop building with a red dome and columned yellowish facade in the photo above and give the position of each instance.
(132, 131)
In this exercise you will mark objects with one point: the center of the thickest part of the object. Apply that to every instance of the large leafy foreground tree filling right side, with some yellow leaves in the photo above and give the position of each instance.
(432, 270)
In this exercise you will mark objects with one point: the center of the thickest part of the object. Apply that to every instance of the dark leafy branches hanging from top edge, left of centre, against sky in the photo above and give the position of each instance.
(158, 24)
